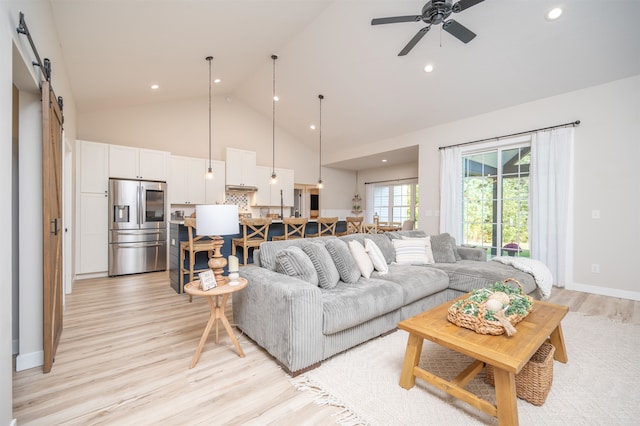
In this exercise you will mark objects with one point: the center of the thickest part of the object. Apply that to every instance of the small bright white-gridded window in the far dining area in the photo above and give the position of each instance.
(396, 202)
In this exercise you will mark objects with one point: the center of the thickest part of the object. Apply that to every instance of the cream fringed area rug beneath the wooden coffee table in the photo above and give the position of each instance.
(600, 385)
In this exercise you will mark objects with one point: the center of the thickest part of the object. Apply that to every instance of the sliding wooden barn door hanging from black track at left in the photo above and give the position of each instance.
(52, 222)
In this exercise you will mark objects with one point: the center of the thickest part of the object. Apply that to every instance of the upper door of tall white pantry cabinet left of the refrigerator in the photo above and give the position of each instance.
(94, 166)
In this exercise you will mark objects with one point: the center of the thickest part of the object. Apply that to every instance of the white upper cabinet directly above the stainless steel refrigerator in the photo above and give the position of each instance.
(138, 163)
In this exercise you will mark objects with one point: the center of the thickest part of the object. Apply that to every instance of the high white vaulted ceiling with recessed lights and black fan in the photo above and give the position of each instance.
(115, 49)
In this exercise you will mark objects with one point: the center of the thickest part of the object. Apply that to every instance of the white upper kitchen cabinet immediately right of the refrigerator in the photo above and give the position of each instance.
(187, 180)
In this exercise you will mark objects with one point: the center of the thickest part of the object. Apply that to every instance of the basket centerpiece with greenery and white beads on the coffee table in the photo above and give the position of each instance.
(492, 310)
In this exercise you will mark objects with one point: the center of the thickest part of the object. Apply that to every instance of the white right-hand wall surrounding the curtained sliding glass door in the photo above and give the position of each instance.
(606, 152)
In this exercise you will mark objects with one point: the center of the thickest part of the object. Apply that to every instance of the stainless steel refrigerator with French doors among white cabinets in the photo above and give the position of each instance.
(137, 226)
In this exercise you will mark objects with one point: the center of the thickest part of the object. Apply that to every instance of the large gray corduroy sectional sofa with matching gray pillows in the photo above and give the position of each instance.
(301, 320)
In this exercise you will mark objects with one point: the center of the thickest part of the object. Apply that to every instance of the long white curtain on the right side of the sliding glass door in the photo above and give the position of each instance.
(551, 201)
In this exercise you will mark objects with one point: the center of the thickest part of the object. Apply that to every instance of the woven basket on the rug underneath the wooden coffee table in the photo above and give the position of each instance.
(533, 382)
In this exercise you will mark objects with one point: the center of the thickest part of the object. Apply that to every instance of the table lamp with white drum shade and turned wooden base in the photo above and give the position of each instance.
(215, 220)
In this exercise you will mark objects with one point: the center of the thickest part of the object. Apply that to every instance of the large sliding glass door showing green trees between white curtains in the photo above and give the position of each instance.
(495, 203)
